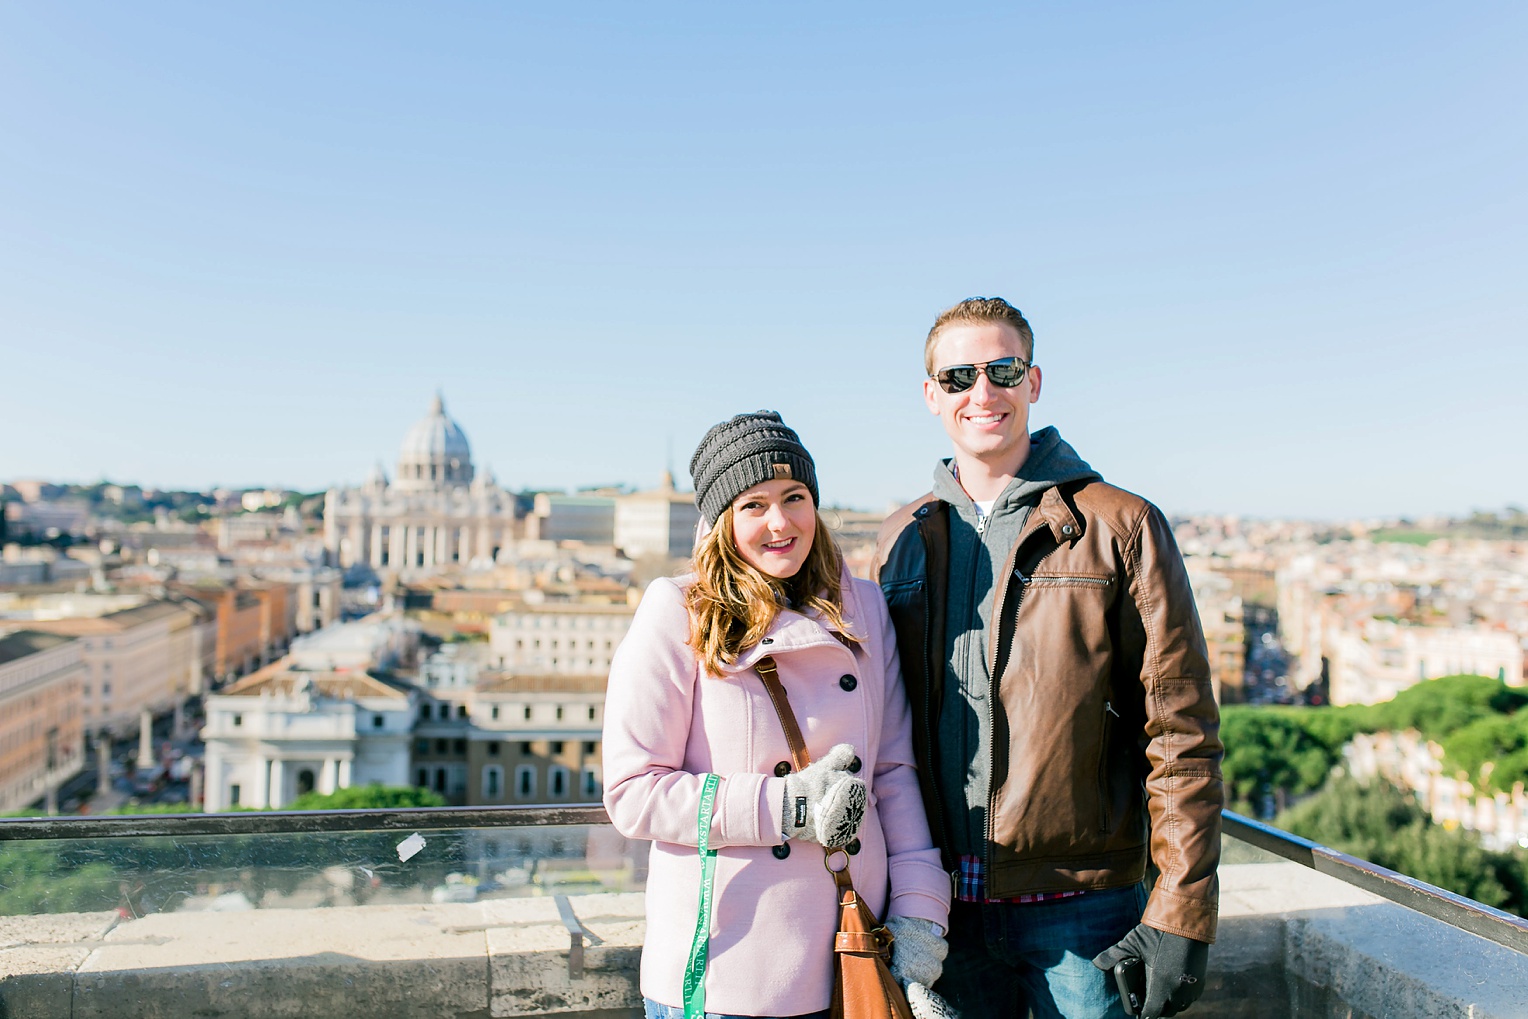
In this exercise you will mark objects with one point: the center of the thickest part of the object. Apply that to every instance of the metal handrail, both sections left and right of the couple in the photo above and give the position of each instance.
(1457, 911)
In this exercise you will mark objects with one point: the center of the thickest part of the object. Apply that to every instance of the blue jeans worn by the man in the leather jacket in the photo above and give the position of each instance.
(1009, 959)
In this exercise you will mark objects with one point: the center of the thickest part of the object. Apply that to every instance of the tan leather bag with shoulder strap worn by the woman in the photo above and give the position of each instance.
(863, 982)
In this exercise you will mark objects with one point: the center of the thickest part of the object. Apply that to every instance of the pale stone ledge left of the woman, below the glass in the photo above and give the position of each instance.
(459, 962)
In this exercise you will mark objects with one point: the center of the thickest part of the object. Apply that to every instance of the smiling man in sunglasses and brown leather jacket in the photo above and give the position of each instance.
(1063, 710)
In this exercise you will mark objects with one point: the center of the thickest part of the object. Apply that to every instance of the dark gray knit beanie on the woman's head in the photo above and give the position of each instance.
(745, 451)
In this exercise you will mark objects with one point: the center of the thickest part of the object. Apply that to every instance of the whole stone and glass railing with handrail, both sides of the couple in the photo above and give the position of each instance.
(539, 913)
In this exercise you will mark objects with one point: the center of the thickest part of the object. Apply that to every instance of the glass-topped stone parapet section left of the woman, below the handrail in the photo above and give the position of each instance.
(467, 922)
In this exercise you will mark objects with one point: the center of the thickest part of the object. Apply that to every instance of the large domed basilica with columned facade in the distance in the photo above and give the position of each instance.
(436, 514)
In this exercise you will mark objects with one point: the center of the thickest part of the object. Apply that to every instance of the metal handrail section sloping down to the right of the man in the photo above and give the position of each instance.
(1457, 911)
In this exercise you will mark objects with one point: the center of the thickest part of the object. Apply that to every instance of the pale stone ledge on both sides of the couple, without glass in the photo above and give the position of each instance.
(1292, 943)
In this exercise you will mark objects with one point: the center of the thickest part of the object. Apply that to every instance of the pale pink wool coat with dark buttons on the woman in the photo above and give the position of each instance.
(667, 726)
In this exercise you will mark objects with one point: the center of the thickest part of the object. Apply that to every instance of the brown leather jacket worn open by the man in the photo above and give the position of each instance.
(1104, 708)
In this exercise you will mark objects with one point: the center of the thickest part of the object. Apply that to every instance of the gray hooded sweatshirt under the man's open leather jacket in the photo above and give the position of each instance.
(979, 552)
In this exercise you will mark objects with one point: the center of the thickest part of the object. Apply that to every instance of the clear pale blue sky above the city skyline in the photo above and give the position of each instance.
(1275, 254)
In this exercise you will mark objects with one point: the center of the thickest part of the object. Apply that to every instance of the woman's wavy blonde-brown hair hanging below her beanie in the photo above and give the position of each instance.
(733, 606)
